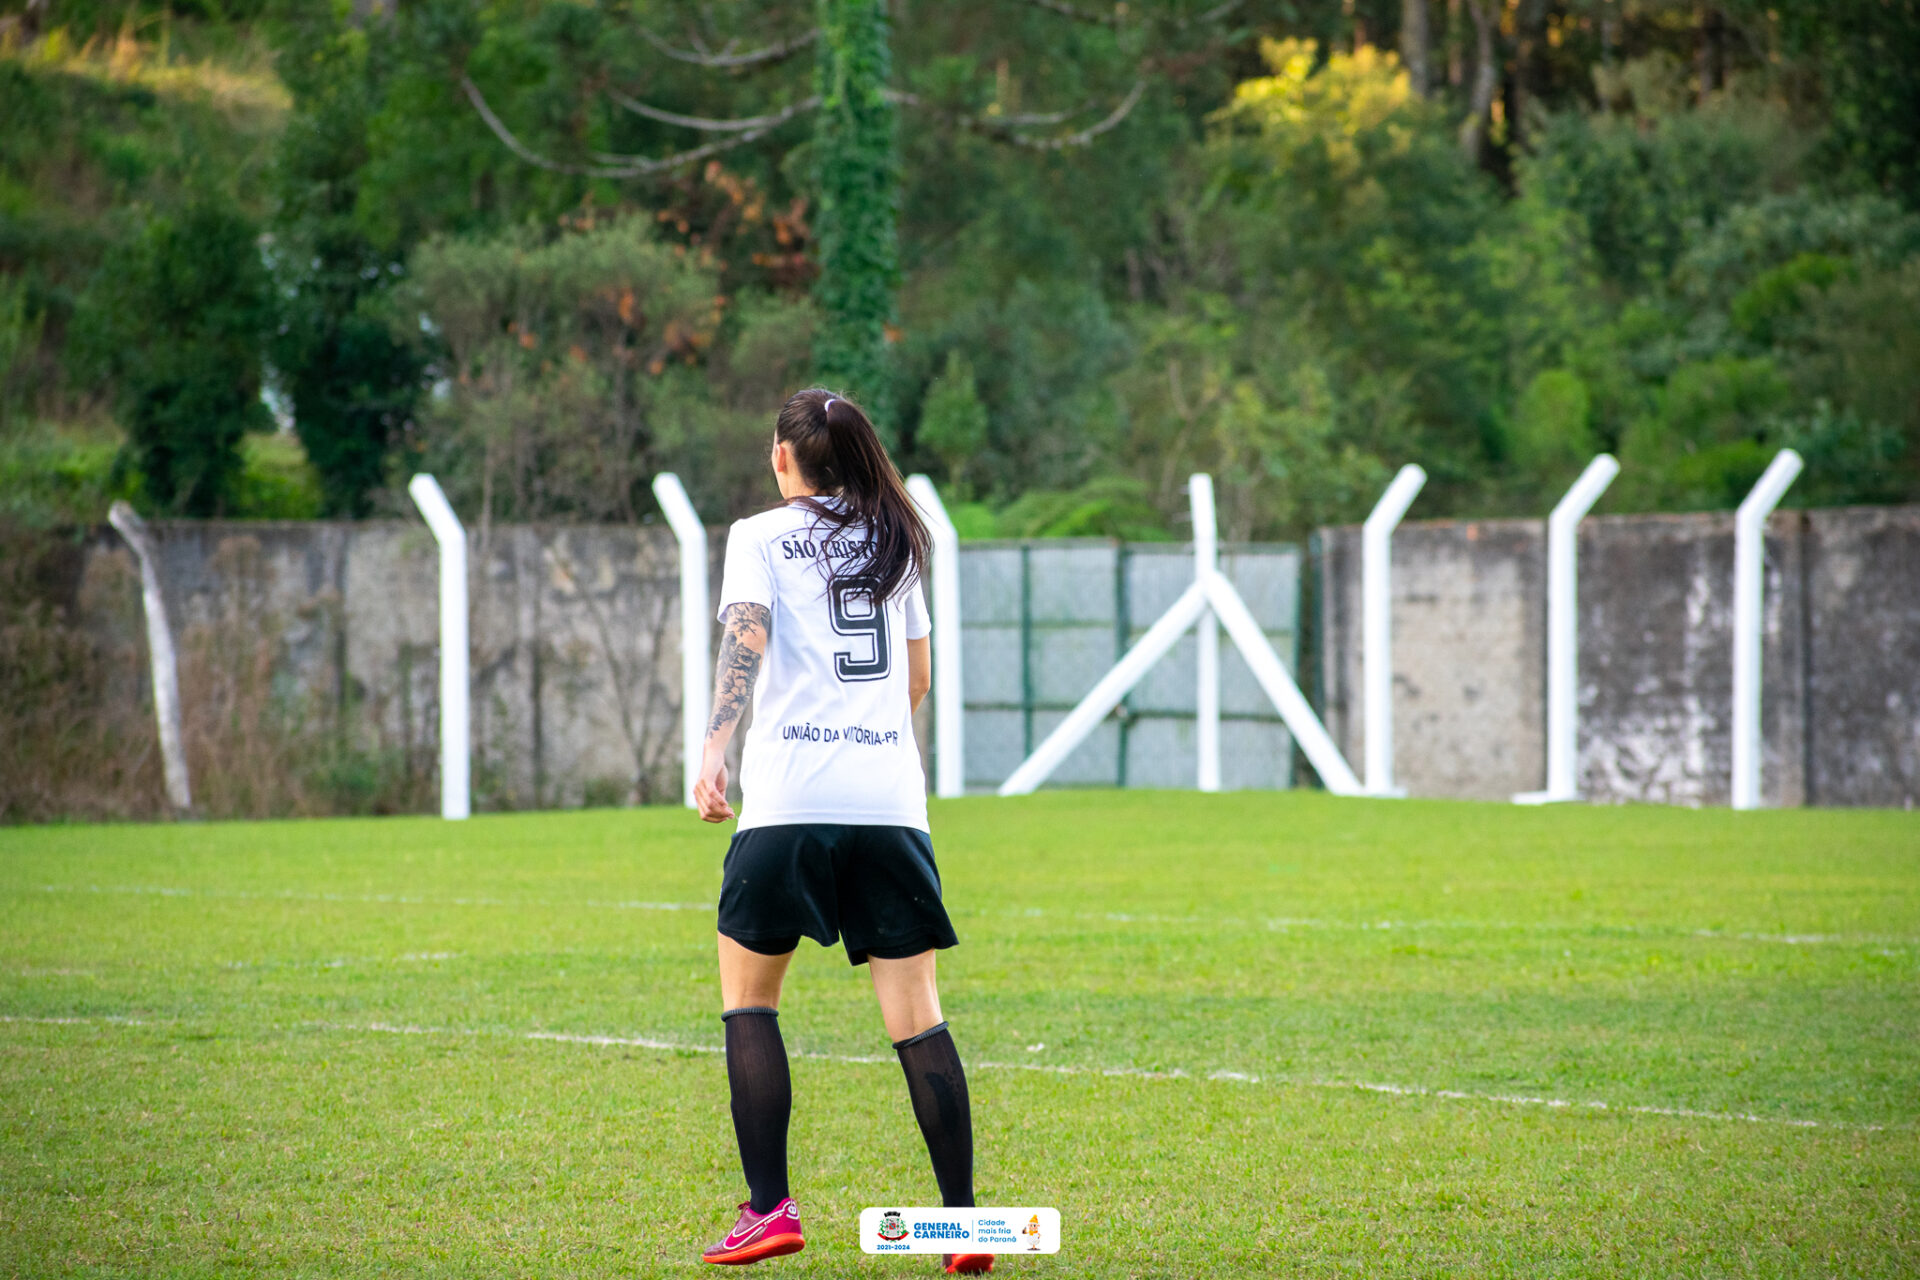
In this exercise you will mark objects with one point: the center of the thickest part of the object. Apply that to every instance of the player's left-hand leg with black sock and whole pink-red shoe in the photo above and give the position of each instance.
(763, 1102)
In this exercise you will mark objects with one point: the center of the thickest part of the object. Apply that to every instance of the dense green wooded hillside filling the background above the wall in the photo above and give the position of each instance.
(1278, 268)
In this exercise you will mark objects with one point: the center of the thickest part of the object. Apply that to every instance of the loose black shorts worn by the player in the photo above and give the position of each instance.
(875, 886)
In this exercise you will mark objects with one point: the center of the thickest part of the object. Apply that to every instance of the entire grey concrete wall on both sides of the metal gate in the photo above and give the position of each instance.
(577, 650)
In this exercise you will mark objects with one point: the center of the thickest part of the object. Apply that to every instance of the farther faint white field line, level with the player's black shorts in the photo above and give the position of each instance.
(1276, 924)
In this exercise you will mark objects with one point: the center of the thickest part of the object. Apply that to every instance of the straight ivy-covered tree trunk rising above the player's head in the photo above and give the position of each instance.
(857, 181)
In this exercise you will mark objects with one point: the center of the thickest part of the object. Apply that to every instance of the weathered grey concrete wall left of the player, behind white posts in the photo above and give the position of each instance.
(575, 640)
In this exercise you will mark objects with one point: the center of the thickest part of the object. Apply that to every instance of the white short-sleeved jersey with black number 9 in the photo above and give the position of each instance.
(832, 736)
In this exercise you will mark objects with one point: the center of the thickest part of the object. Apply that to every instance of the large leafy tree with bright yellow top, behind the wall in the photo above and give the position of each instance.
(1378, 270)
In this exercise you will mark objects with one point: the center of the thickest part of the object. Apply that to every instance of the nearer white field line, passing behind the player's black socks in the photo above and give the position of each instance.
(1140, 1074)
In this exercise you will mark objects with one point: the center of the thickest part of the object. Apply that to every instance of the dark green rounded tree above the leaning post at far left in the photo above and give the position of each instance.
(176, 320)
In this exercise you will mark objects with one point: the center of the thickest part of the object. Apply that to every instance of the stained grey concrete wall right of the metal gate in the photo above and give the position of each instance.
(1840, 657)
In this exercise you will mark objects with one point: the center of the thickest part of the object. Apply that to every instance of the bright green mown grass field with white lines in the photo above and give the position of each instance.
(1228, 1037)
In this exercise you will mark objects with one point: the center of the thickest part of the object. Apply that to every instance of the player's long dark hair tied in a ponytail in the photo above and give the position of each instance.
(840, 454)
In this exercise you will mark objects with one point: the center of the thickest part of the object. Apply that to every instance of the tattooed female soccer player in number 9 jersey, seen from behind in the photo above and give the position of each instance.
(832, 836)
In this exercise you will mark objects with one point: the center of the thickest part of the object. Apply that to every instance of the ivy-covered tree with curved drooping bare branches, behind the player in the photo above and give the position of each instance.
(853, 168)
